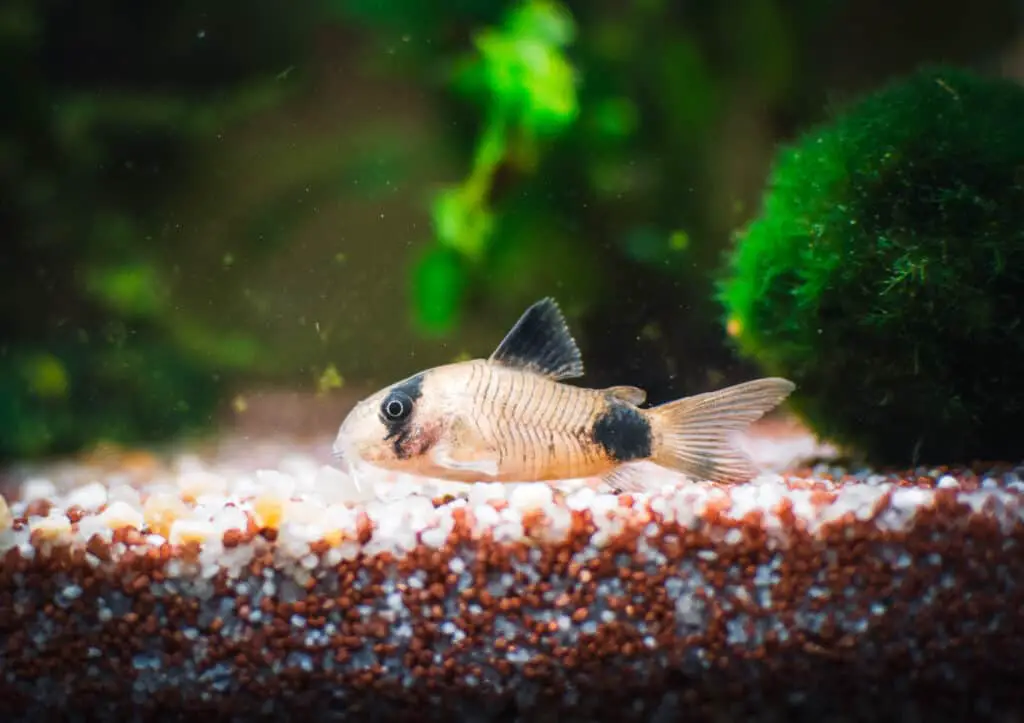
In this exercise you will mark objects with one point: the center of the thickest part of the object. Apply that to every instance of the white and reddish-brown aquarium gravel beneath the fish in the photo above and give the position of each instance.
(262, 584)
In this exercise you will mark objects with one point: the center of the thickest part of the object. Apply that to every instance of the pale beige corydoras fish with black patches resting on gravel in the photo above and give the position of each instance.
(517, 417)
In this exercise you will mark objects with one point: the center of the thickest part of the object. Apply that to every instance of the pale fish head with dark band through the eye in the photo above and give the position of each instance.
(397, 427)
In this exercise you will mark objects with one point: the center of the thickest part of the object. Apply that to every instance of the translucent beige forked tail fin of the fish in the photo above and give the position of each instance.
(693, 435)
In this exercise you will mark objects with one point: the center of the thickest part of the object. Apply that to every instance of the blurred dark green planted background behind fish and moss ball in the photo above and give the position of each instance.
(203, 199)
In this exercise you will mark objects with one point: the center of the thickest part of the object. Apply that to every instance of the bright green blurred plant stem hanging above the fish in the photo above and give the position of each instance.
(527, 88)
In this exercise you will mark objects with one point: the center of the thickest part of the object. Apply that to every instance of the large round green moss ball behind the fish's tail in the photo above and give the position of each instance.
(885, 273)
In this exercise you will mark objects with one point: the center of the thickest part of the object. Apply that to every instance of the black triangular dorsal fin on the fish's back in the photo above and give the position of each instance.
(541, 343)
